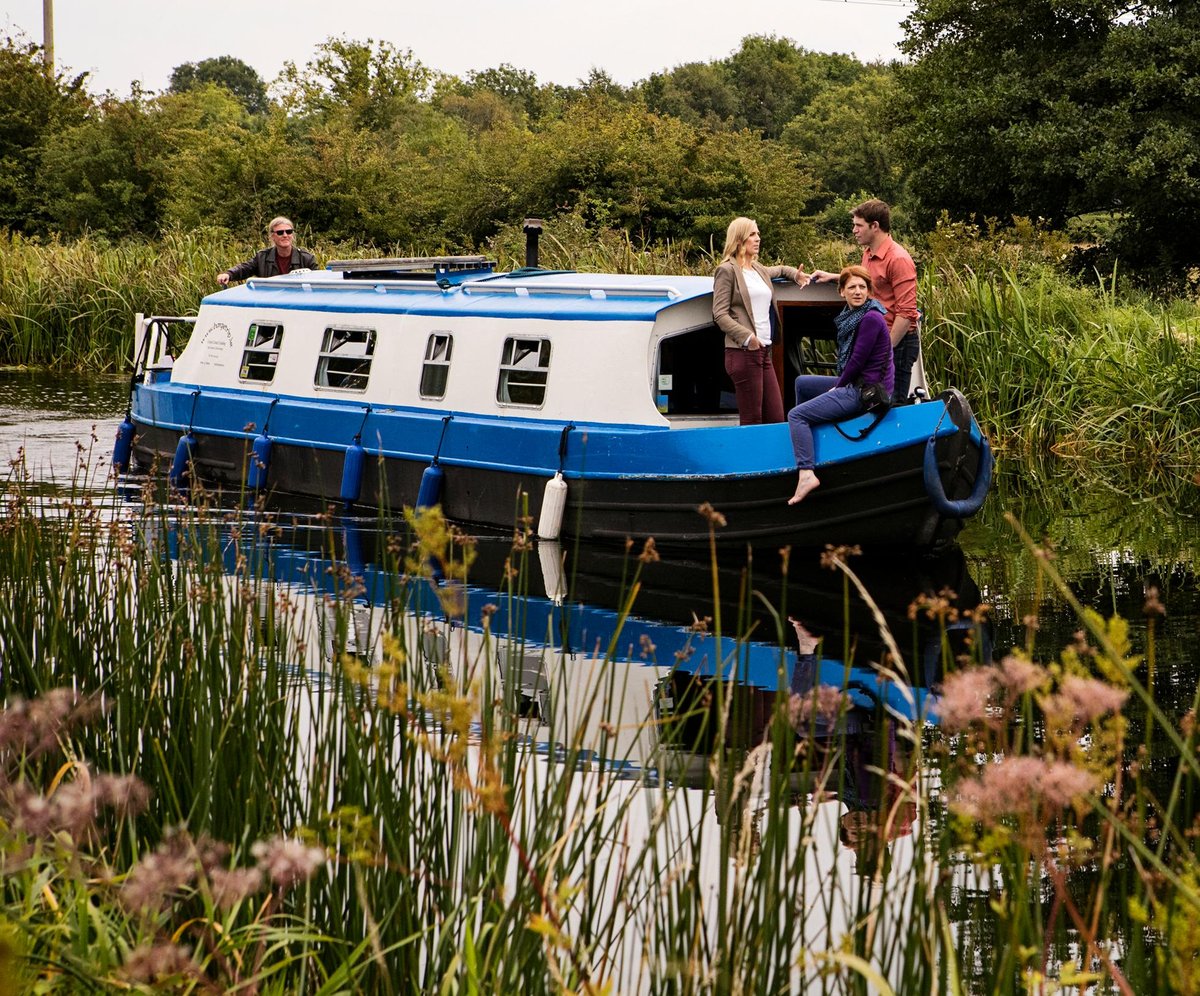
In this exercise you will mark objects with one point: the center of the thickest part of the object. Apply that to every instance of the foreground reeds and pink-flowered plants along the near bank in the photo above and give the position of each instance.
(217, 781)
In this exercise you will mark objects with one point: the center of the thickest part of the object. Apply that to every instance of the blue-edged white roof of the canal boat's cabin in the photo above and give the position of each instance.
(551, 295)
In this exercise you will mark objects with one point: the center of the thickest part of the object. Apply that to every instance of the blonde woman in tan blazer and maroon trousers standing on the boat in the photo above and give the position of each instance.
(742, 303)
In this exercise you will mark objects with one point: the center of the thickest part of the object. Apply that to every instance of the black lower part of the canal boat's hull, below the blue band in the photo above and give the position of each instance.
(878, 501)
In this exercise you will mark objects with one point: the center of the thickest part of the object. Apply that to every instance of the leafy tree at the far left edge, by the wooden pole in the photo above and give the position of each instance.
(33, 109)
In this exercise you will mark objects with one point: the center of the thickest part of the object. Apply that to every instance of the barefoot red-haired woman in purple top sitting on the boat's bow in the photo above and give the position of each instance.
(865, 359)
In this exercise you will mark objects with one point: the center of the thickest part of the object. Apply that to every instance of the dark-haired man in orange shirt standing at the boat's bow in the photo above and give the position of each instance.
(893, 284)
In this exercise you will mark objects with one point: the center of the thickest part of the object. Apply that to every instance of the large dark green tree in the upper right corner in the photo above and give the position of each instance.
(1051, 109)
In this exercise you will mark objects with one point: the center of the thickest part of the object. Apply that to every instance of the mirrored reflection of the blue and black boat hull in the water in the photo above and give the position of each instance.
(633, 652)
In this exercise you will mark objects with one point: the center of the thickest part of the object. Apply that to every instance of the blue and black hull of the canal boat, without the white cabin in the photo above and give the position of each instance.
(873, 493)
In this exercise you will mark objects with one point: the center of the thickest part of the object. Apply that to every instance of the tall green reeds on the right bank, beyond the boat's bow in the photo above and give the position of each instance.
(1055, 369)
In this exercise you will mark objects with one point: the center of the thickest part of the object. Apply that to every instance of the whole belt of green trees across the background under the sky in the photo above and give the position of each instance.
(1034, 109)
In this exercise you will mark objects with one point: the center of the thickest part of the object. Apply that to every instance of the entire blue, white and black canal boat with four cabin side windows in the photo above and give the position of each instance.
(596, 404)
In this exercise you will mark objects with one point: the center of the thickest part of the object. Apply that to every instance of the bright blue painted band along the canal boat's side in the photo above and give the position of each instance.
(593, 452)
